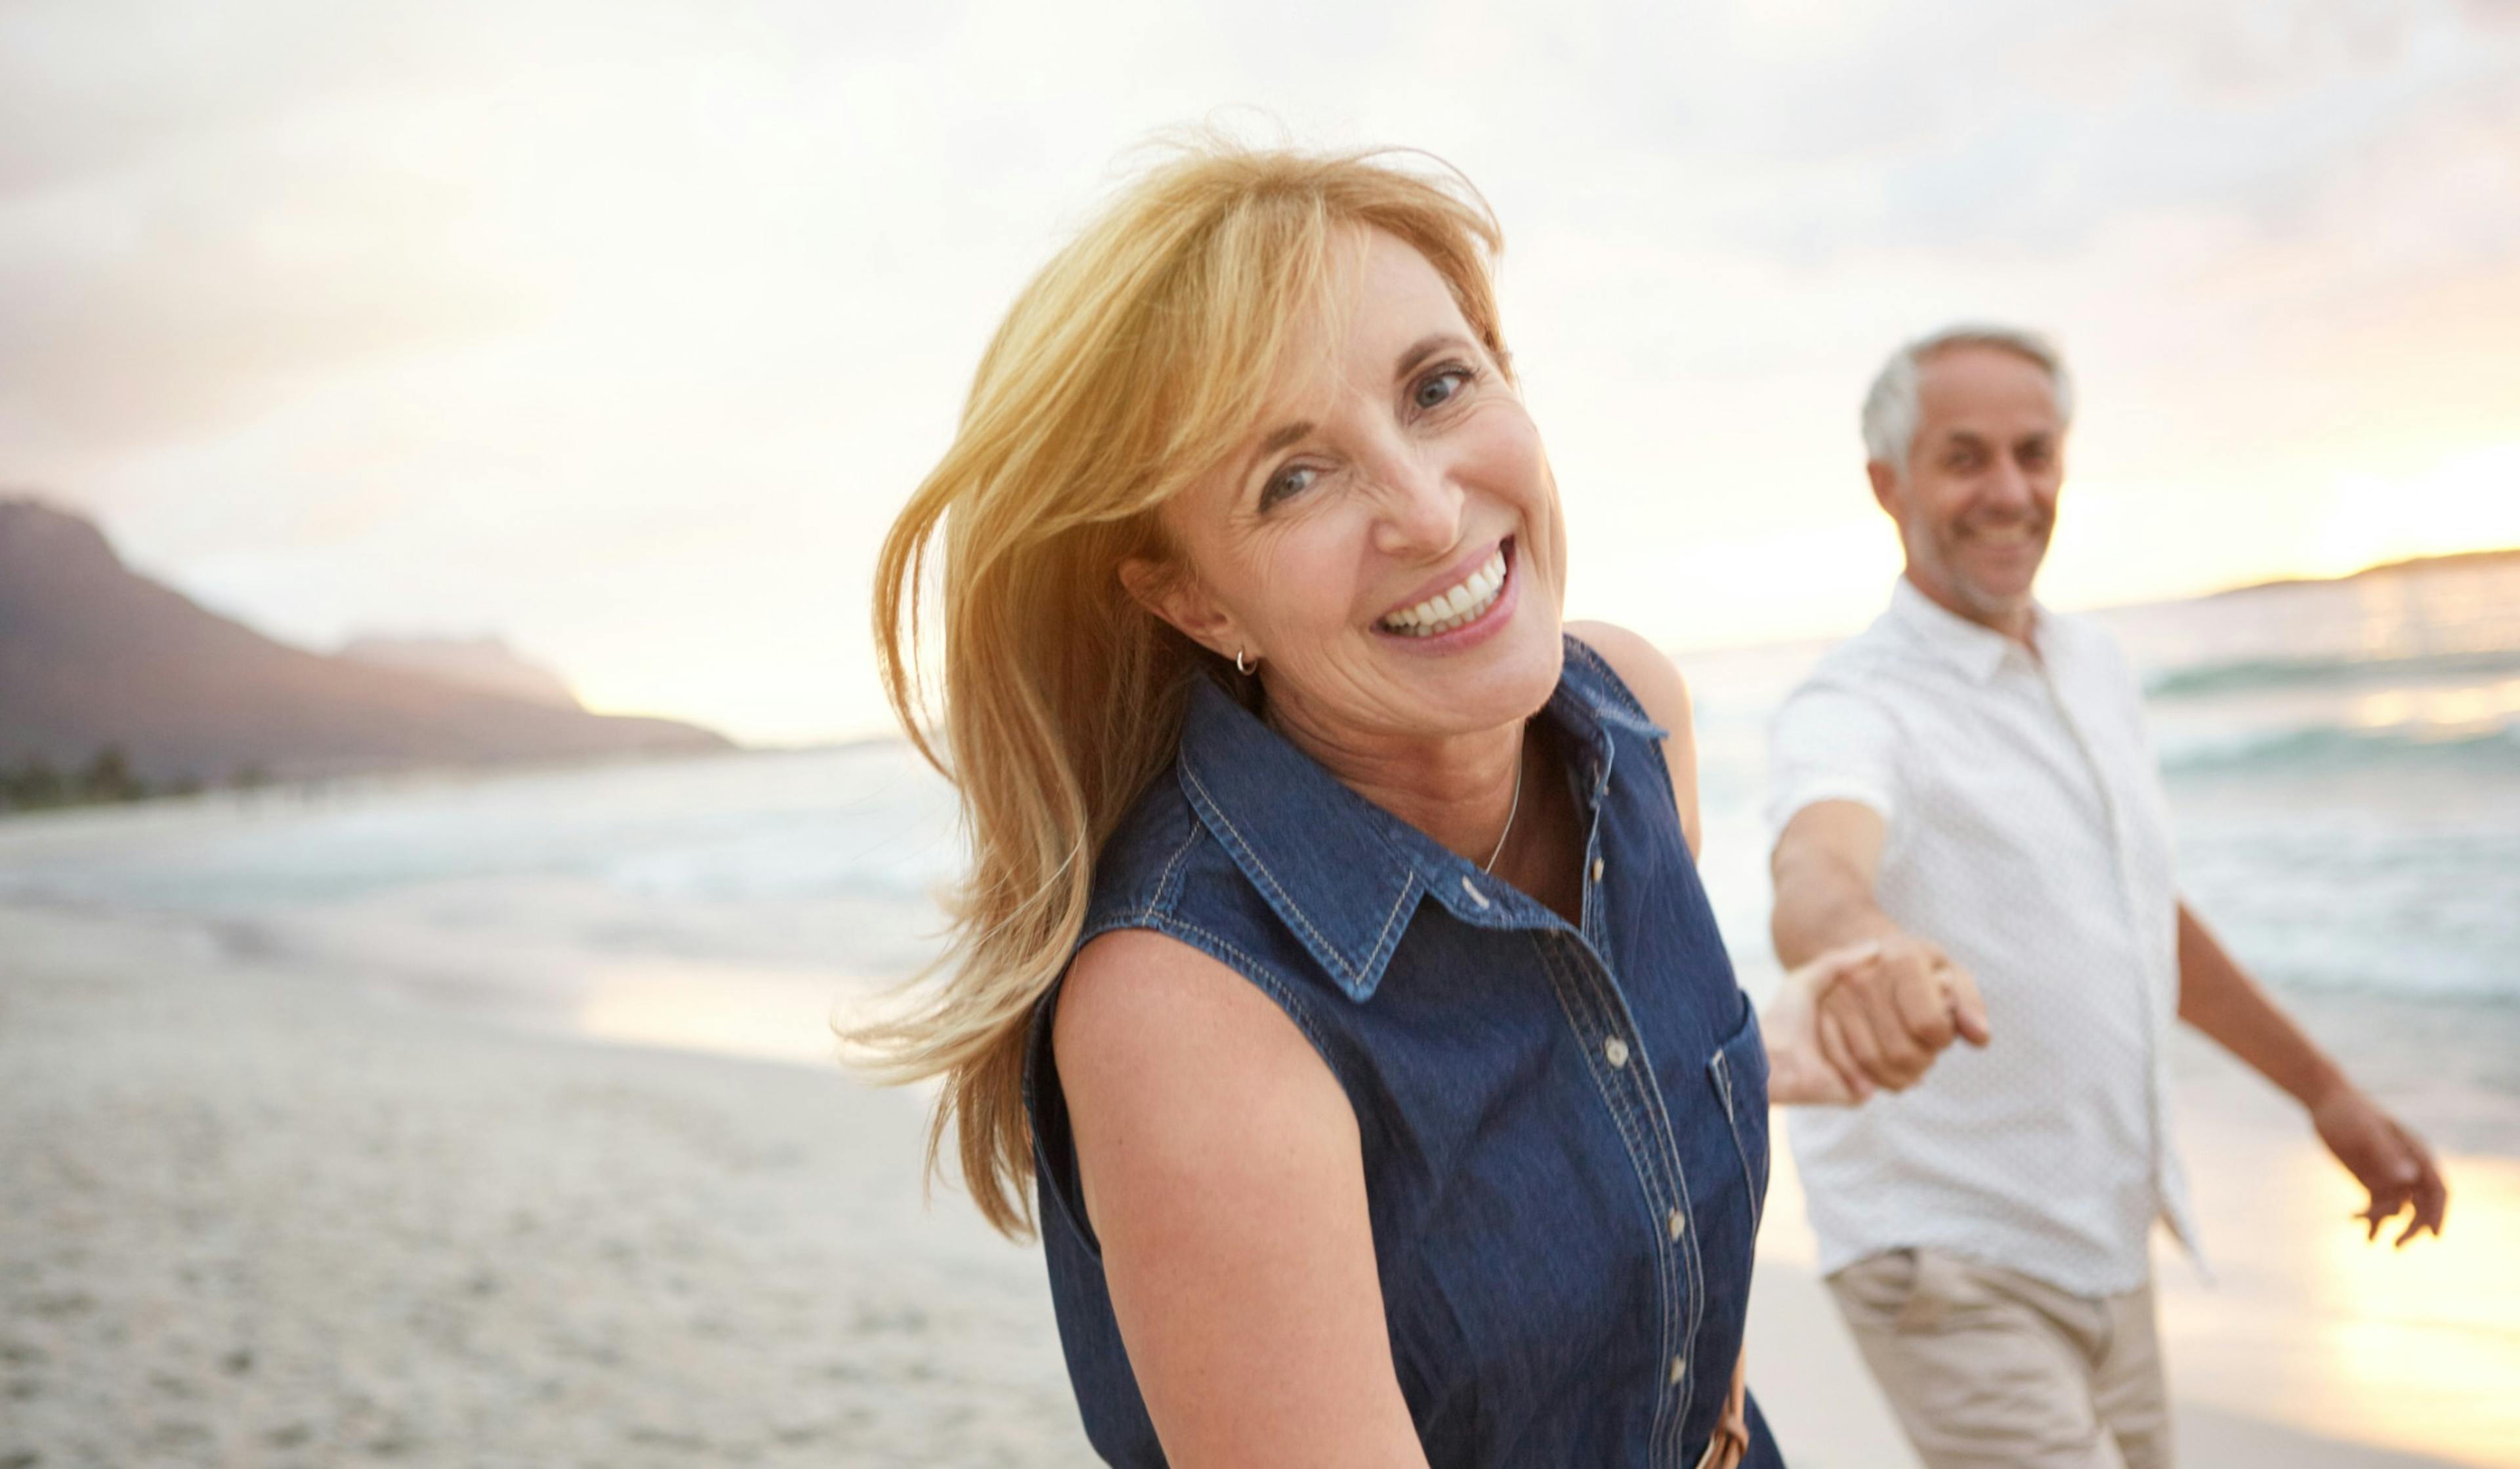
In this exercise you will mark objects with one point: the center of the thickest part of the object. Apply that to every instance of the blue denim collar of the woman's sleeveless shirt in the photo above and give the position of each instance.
(1342, 873)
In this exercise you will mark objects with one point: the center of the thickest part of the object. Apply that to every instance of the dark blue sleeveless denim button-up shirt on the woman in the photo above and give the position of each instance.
(1564, 1128)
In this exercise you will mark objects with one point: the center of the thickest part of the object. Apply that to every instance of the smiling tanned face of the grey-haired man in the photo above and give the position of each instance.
(1979, 493)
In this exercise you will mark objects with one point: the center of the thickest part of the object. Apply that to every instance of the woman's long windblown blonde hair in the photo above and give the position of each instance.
(1125, 372)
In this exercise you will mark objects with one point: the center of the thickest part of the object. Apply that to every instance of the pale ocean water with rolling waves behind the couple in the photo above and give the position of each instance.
(2342, 760)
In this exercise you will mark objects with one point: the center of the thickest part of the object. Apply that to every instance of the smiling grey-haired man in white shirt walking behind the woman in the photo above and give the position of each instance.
(1969, 785)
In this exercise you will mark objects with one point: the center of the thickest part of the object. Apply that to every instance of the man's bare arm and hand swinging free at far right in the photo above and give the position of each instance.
(2383, 1155)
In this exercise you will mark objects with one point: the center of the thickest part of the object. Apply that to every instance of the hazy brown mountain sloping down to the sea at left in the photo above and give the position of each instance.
(97, 656)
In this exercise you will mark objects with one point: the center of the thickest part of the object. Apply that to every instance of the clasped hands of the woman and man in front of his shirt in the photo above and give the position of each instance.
(1866, 1017)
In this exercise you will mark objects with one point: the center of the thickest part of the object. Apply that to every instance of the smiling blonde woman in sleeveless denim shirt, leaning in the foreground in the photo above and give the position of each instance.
(1334, 956)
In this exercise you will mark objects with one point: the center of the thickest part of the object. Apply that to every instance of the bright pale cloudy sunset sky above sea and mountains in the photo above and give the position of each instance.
(621, 329)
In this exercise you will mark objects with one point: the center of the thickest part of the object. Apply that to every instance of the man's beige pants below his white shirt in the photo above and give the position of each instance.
(1992, 1369)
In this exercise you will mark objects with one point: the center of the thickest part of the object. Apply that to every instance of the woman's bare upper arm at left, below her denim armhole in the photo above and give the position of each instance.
(1223, 1175)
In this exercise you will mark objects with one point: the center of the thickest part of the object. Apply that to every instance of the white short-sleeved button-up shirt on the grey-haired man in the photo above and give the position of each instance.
(2030, 838)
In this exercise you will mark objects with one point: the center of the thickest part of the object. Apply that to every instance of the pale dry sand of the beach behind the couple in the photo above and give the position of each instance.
(258, 1213)
